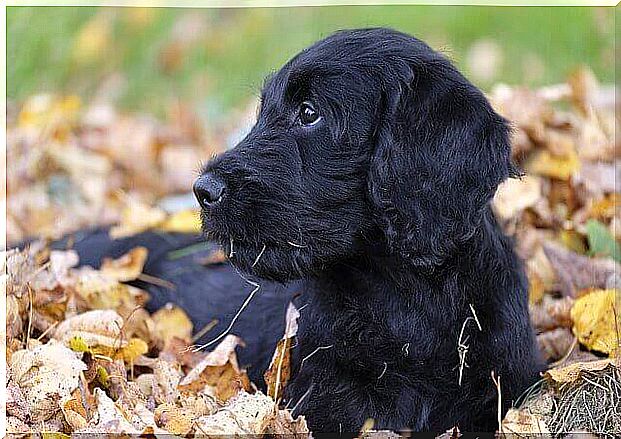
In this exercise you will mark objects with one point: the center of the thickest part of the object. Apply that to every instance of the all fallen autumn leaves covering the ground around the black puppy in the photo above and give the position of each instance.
(85, 356)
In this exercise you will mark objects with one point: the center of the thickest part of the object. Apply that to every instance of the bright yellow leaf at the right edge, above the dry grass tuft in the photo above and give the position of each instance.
(594, 320)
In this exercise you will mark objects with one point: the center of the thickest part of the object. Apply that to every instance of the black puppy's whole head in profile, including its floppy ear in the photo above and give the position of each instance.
(367, 136)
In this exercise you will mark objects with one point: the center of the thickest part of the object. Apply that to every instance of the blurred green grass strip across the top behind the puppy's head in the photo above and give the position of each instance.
(143, 58)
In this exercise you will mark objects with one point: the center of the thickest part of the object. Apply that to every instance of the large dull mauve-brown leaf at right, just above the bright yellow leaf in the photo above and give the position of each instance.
(576, 272)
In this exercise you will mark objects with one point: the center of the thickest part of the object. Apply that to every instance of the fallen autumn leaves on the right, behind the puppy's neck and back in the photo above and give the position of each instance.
(565, 217)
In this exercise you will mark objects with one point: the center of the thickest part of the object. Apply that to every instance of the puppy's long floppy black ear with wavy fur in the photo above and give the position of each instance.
(441, 152)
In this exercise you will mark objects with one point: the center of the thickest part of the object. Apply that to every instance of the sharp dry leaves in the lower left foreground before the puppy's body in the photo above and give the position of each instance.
(84, 356)
